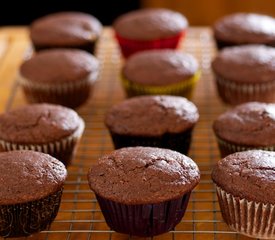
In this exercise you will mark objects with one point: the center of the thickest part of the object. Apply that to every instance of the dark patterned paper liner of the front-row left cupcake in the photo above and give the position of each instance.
(19, 220)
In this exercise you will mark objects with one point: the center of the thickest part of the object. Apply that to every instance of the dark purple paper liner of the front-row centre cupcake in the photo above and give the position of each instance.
(144, 220)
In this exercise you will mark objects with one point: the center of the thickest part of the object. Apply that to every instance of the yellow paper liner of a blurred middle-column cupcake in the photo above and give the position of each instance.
(183, 88)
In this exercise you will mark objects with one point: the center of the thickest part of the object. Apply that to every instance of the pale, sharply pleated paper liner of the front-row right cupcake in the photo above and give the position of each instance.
(250, 218)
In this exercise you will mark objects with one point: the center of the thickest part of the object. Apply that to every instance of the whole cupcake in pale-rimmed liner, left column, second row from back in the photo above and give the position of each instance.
(60, 76)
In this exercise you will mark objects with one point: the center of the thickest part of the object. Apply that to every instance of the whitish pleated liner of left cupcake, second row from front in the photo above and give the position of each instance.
(51, 148)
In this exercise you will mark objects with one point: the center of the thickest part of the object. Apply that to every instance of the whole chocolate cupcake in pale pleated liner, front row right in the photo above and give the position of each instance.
(246, 191)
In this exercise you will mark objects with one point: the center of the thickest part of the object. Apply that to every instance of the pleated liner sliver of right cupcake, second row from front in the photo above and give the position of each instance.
(227, 148)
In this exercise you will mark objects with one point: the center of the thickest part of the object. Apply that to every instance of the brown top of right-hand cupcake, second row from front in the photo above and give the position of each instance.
(250, 124)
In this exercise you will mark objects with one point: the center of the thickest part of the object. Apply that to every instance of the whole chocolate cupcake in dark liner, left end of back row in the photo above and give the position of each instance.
(65, 30)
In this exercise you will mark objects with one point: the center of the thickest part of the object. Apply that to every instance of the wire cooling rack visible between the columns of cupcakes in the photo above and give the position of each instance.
(79, 216)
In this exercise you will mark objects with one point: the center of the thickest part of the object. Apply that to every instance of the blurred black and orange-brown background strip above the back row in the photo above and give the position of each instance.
(198, 12)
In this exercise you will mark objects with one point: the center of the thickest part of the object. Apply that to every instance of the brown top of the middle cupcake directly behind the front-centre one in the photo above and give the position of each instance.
(152, 116)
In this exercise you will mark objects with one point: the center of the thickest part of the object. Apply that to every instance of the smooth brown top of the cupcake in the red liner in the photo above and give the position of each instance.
(150, 24)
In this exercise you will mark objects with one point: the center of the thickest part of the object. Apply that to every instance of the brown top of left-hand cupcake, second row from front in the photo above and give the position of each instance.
(38, 123)
